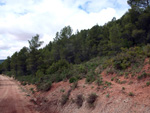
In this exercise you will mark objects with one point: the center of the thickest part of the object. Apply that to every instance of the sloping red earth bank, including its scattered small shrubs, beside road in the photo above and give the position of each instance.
(116, 94)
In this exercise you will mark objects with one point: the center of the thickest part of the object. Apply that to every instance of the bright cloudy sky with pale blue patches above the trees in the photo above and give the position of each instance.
(20, 20)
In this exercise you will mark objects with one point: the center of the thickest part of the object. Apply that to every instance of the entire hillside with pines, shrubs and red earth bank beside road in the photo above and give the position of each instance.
(103, 69)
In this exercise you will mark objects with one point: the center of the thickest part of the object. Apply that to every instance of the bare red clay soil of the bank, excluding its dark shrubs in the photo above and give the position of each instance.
(112, 99)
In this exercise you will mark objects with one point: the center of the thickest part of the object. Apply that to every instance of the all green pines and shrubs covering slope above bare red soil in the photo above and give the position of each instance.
(120, 47)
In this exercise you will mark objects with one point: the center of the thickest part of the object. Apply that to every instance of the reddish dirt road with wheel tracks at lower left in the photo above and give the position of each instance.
(12, 97)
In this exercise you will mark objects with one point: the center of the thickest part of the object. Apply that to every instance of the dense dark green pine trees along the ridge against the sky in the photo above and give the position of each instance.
(67, 49)
